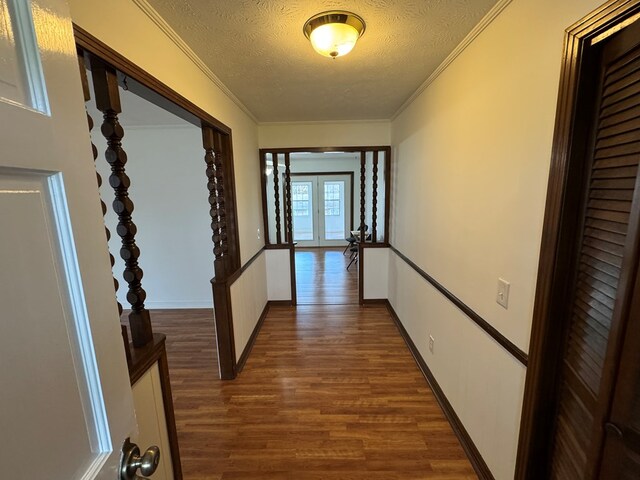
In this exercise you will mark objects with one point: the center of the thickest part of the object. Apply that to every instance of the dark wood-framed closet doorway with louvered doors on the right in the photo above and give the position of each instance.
(582, 397)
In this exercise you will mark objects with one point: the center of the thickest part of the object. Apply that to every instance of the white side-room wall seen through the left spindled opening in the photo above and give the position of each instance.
(168, 189)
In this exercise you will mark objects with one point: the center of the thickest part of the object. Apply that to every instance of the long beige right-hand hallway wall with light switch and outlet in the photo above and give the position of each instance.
(471, 157)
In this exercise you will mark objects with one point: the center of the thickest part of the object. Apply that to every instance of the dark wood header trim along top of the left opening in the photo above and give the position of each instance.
(155, 91)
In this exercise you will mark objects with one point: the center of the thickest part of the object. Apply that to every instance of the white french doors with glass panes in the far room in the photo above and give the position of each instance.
(322, 210)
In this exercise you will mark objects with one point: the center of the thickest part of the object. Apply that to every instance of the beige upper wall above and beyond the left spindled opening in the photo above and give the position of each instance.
(125, 28)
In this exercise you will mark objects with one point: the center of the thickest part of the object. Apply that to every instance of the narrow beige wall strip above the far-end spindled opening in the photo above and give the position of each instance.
(324, 134)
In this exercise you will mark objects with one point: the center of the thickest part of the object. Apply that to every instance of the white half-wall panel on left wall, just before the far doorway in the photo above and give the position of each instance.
(248, 299)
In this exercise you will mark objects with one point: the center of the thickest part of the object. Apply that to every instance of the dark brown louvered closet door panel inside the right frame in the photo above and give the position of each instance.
(603, 250)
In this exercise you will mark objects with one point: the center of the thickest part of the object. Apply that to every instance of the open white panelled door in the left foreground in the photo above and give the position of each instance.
(65, 400)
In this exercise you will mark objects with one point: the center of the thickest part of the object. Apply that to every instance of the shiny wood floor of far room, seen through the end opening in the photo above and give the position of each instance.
(322, 277)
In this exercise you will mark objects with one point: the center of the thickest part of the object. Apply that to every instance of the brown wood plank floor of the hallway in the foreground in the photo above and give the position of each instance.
(328, 392)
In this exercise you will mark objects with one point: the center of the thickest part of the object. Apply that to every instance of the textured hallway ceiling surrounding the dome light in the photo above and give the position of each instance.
(258, 50)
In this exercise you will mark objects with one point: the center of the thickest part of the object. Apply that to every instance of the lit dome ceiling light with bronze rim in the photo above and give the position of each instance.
(334, 33)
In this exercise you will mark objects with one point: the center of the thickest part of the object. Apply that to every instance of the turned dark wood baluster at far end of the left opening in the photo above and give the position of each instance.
(215, 185)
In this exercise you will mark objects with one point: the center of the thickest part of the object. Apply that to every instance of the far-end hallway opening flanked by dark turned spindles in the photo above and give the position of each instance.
(316, 210)
